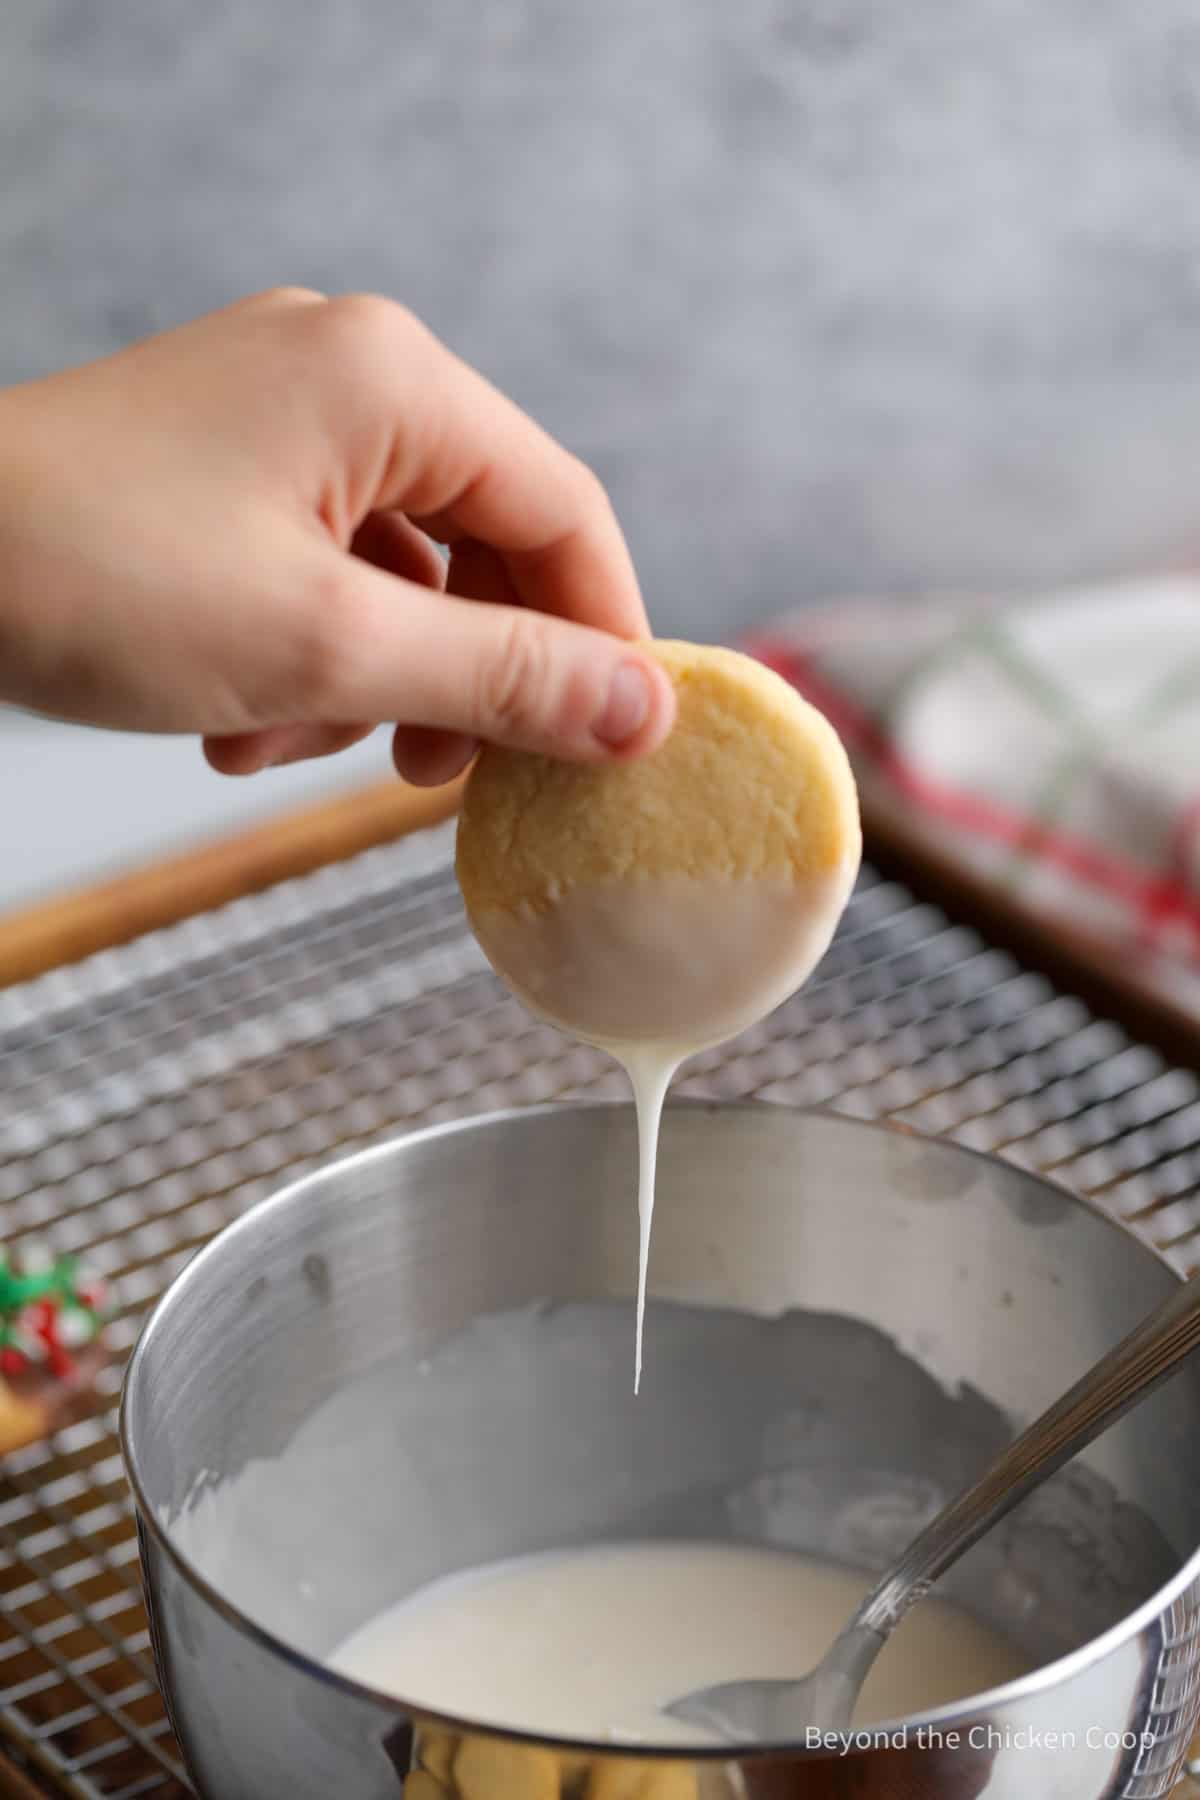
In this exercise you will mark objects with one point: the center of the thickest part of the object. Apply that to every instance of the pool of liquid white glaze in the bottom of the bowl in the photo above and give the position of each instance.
(593, 1642)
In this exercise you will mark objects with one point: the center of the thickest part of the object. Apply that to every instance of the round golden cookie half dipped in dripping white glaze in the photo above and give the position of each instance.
(677, 899)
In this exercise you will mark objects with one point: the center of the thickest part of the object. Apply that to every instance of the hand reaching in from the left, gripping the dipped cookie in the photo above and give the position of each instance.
(229, 530)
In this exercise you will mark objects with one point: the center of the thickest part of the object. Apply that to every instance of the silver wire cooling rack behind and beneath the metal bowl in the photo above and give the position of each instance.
(152, 1093)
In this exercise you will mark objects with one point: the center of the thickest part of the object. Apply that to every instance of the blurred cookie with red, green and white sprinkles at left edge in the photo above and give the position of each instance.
(51, 1344)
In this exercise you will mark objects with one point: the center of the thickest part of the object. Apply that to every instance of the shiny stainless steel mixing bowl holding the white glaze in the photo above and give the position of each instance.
(422, 1358)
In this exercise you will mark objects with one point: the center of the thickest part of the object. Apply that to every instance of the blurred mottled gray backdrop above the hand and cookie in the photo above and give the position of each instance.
(837, 294)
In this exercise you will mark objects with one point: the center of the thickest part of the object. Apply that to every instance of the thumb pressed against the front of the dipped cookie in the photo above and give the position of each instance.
(503, 674)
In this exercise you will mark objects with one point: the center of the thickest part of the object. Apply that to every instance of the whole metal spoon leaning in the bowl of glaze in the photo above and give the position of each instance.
(827, 1696)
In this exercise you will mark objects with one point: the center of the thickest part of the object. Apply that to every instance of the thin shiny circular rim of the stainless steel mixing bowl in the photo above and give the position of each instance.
(949, 1716)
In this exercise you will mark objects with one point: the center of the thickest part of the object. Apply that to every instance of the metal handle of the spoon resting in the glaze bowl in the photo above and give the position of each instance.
(1143, 1360)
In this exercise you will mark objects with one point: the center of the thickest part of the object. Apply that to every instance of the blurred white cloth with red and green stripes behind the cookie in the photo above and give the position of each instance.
(1050, 746)
